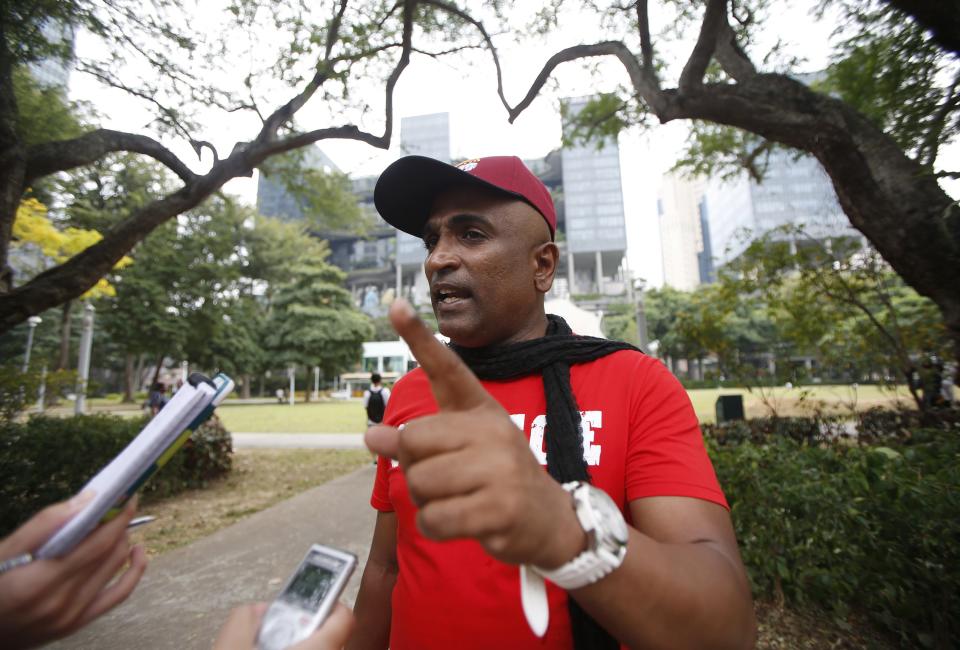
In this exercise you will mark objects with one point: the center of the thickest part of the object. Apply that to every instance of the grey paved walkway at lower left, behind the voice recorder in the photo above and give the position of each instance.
(186, 594)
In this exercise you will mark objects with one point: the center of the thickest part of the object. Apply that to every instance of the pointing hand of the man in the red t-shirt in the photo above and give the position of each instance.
(470, 470)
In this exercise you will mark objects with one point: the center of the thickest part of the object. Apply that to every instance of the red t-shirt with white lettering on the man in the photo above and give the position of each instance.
(641, 439)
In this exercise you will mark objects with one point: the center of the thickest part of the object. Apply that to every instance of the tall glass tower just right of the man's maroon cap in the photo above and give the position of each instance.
(595, 232)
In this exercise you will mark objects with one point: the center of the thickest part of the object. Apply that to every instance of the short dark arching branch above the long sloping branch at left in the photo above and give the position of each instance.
(50, 157)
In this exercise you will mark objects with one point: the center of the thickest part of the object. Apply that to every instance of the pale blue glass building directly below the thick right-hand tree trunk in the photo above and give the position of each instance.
(795, 190)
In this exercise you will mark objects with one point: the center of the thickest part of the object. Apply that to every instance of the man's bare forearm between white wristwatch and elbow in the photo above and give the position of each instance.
(673, 596)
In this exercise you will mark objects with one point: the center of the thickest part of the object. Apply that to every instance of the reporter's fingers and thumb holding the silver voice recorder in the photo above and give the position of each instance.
(240, 630)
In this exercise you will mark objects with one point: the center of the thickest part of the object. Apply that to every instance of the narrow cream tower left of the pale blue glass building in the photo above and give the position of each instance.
(680, 207)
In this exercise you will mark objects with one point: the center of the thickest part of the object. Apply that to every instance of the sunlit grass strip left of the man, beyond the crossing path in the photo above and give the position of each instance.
(316, 417)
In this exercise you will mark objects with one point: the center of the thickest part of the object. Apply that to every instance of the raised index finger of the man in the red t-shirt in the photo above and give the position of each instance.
(453, 384)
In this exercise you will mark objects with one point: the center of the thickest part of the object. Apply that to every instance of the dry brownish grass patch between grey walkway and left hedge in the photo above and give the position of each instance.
(259, 479)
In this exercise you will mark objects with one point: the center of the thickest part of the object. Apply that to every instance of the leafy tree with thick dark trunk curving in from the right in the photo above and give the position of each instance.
(887, 105)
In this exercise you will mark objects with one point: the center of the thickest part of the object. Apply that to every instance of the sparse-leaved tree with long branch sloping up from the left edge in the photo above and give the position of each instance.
(159, 52)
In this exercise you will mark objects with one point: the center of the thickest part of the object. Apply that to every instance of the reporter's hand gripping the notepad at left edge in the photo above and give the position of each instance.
(49, 599)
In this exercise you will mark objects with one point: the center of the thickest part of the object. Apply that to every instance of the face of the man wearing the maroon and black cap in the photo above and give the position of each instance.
(489, 262)
